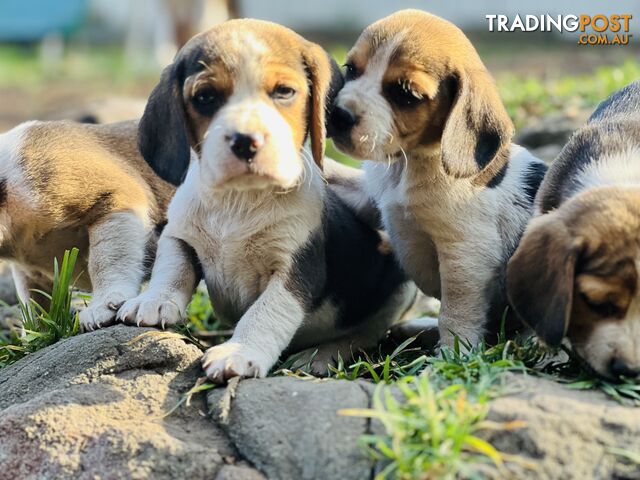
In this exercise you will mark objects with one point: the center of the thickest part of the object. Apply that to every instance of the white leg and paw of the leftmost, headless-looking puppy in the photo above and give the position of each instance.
(117, 246)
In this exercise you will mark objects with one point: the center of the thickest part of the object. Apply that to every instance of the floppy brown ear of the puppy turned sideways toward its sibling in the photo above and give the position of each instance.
(478, 128)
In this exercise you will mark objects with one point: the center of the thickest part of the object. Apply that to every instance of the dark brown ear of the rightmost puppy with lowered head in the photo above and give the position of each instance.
(541, 276)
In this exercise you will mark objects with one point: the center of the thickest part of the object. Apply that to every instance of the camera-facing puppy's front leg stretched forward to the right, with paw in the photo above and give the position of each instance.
(260, 336)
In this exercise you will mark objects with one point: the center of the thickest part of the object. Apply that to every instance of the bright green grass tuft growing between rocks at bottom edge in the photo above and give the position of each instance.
(430, 430)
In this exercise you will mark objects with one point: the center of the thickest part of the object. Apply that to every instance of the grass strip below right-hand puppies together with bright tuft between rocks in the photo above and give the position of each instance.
(431, 425)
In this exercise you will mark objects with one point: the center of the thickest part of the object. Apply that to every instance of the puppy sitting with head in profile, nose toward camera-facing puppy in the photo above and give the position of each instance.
(453, 191)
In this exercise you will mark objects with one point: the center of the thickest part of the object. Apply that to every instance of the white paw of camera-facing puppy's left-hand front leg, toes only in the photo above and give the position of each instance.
(151, 309)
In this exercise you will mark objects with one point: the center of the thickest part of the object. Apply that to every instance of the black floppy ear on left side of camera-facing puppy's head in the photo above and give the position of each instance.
(162, 132)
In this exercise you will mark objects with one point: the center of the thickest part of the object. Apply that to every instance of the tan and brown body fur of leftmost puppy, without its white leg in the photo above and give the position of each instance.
(74, 176)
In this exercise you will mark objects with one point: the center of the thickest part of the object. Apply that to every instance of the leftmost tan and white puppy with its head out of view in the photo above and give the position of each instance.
(64, 185)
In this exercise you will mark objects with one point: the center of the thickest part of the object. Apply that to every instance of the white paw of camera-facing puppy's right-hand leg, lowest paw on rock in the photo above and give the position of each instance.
(232, 359)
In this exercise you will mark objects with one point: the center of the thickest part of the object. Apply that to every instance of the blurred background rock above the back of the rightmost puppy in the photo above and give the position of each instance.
(554, 129)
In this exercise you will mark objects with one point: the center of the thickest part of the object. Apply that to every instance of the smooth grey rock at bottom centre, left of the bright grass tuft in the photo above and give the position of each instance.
(290, 429)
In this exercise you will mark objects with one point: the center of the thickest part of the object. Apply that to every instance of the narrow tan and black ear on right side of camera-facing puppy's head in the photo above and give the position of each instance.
(325, 80)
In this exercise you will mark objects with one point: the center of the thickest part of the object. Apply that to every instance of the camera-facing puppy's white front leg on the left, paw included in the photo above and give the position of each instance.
(172, 283)
